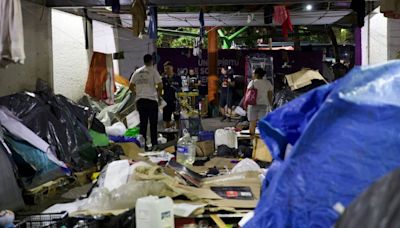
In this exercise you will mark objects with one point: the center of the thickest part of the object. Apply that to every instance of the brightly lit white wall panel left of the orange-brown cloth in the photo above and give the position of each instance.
(71, 60)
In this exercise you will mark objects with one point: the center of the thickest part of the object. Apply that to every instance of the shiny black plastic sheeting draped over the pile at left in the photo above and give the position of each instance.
(60, 122)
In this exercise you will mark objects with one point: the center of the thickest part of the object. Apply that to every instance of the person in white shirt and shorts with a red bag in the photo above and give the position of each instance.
(264, 99)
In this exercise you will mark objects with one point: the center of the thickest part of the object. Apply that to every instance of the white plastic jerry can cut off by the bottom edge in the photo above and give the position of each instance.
(154, 212)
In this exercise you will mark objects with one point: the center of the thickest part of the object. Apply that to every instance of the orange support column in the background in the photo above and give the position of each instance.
(212, 65)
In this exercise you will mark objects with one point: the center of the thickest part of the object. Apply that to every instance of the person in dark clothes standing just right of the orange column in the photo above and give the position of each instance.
(226, 93)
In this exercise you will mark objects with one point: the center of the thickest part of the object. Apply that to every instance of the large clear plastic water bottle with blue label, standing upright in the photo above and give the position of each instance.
(184, 153)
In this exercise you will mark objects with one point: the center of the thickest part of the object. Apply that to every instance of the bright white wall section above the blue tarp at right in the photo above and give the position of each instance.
(374, 39)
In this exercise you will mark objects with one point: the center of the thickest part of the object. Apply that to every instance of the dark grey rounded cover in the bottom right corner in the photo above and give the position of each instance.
(378, 206)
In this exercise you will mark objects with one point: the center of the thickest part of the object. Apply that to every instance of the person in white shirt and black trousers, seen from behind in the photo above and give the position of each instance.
(146, 84)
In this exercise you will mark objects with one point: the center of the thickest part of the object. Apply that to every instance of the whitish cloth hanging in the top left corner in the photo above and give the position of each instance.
(11, 33)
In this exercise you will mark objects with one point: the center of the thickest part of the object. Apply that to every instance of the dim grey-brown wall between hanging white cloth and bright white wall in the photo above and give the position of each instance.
(38, 51)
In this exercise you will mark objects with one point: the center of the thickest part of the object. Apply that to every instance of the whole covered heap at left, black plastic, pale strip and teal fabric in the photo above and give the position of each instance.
(44, 137)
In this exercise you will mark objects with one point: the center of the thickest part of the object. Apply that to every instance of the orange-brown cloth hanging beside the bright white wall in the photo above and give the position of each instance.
(100, 83)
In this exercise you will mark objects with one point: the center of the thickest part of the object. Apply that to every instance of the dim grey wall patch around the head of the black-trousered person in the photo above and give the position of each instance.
(134, 50)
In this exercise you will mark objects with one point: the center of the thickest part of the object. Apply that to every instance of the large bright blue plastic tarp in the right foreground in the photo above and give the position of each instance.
(344, 136)
